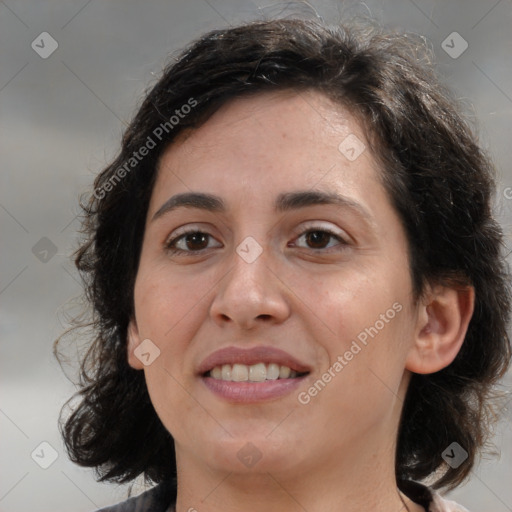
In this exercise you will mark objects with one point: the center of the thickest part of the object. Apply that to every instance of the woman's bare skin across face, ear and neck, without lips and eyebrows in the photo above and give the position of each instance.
(337, 451)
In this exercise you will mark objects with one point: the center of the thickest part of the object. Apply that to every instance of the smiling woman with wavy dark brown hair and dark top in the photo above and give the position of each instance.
(299, 297)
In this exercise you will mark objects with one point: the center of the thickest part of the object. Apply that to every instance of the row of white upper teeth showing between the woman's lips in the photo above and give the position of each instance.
(255, 373)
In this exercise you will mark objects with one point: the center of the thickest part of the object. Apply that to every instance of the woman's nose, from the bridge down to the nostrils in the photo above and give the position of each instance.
(249, 295)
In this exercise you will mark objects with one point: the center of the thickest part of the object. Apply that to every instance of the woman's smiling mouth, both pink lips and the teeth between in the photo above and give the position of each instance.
(252, 375)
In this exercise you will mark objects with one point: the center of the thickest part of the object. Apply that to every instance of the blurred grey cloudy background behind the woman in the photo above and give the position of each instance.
(63, 109)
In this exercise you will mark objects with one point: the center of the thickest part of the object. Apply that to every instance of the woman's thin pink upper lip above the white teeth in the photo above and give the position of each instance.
(250, 356)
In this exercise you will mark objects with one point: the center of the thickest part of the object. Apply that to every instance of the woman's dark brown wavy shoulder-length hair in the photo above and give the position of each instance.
(439, 180)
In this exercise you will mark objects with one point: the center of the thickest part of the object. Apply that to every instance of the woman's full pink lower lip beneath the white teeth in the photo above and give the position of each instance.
(252, 392)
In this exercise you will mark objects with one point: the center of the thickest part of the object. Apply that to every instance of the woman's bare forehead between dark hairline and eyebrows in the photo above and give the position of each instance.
(267, 143)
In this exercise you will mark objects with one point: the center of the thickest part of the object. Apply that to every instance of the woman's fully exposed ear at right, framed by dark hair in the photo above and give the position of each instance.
(442, 322)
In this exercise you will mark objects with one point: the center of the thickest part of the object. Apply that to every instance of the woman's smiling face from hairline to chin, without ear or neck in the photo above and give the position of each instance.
(274, 280)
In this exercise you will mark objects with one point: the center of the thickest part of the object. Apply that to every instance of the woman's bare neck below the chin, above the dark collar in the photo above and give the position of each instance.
(331, 486)
